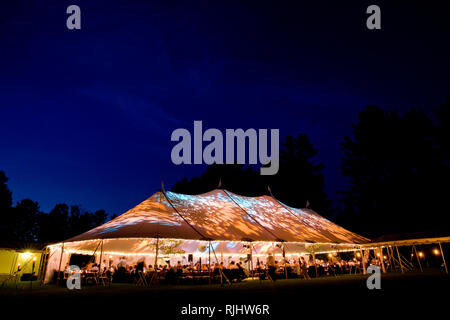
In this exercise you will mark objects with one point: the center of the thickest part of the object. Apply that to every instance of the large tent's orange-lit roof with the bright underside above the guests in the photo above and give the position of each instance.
(171, 226)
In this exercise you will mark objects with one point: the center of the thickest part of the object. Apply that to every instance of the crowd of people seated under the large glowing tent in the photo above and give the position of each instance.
(234, 270)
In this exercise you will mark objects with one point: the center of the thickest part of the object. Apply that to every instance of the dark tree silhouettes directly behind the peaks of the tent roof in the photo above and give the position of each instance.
(298, 180)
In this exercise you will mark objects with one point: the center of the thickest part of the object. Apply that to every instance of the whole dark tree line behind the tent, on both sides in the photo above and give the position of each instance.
(397, 168)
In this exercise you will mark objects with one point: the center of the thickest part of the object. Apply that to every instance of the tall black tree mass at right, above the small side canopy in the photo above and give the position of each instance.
(396, 171)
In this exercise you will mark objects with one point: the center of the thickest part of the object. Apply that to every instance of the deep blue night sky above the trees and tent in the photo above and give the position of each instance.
(86, 115)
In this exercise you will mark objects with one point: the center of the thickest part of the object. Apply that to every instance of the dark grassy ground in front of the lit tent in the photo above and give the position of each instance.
(401, 296)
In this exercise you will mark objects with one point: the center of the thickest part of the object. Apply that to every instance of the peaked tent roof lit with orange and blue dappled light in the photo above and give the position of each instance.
(221, 215)
